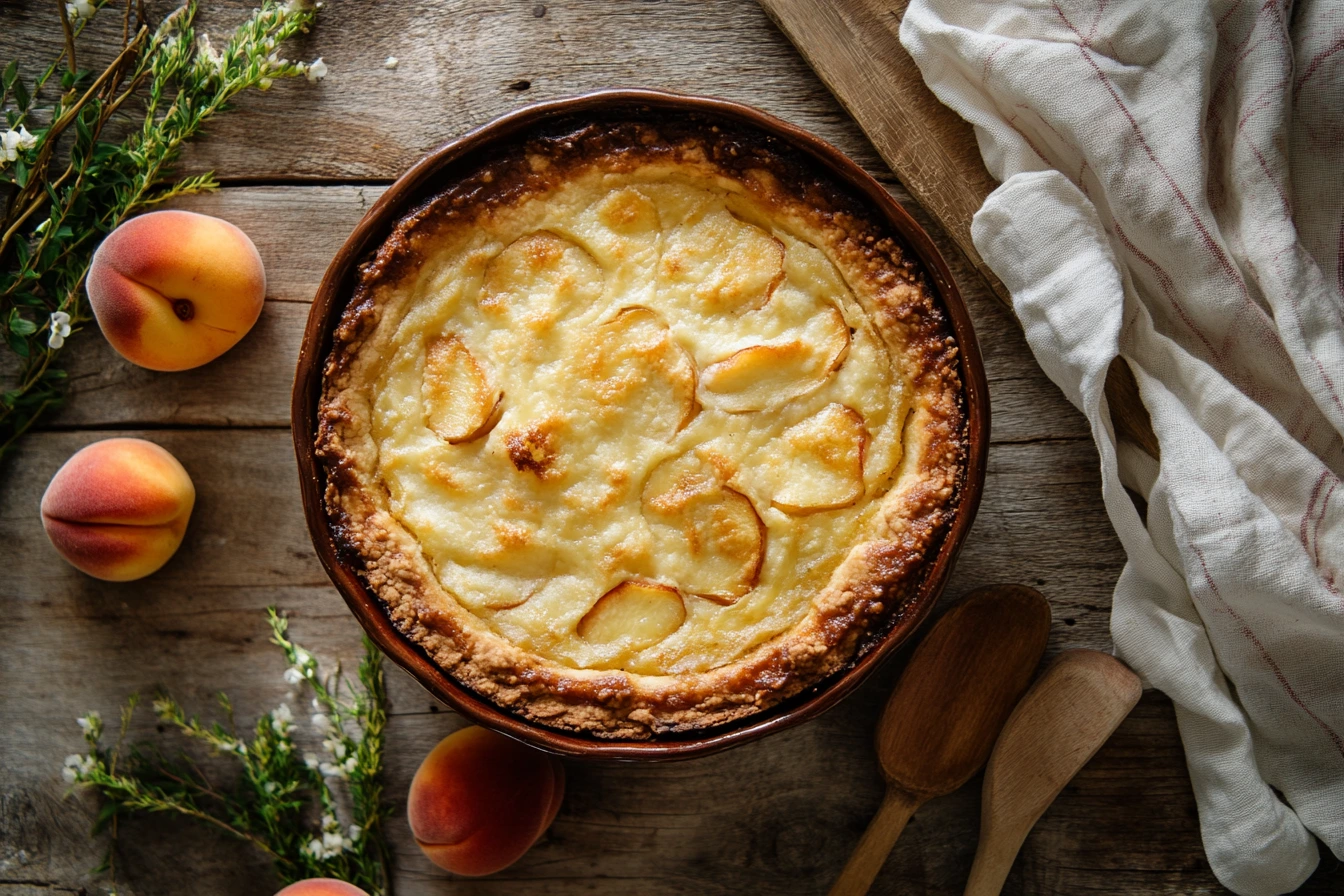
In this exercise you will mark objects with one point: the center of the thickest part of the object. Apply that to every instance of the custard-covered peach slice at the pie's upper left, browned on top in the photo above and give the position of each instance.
(538, 279)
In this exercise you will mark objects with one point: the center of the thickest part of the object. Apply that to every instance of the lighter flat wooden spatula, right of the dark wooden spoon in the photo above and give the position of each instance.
(1062, 722)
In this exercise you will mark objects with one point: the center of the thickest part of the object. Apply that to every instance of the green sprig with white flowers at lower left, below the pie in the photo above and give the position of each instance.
(287, 804)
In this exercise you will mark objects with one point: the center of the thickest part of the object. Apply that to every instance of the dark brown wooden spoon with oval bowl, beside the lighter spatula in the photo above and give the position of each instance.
(941, 721)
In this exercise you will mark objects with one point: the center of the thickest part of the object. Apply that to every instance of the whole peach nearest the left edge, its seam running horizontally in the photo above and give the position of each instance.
(119, 508)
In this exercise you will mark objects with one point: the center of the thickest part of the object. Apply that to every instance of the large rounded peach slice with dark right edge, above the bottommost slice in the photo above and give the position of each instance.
(708, 537)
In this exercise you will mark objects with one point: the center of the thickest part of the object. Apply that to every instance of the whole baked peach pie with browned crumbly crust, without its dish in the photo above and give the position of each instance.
(639, 433)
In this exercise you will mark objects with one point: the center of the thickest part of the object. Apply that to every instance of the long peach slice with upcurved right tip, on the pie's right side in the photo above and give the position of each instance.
(761, 377)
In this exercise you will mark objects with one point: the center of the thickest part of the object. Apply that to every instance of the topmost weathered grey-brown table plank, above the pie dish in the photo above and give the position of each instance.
(463, 64)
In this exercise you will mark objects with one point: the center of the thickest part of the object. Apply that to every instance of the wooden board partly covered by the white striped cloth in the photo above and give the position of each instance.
(855, 48)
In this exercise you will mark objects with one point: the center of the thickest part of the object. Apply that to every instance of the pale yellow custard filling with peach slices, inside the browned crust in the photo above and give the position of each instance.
(636, 424)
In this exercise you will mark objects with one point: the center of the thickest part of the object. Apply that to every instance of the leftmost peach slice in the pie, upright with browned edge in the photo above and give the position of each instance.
(460, 404)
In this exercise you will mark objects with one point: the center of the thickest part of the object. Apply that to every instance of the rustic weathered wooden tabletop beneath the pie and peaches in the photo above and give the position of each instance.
(300, 165)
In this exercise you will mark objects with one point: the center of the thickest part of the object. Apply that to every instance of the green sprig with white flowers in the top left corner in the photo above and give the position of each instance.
(65, 186)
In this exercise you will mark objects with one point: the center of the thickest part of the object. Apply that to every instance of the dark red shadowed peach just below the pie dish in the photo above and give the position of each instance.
(480, 801)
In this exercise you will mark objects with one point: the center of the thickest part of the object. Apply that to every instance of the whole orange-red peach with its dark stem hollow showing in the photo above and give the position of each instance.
(175, 289)
